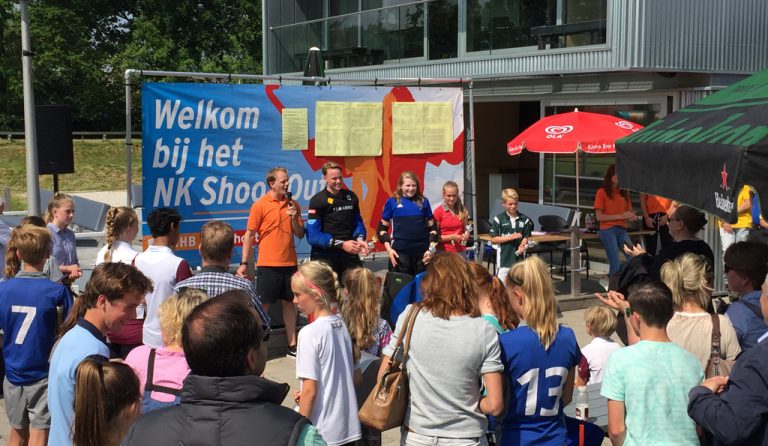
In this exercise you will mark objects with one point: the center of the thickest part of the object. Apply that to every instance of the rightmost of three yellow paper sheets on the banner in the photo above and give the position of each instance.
(422, 127)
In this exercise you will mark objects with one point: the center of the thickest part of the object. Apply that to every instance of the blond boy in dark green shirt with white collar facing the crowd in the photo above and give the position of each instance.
(510, 230)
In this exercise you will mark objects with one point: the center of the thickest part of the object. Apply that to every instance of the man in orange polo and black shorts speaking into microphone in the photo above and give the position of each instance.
(273, 222)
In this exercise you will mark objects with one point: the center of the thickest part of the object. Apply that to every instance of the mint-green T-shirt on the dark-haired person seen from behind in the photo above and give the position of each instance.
(653, 380)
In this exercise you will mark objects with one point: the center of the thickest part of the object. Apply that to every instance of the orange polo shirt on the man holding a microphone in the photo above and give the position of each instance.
(269, 218)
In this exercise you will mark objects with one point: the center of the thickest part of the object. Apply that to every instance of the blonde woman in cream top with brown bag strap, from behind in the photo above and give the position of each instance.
(689, 277)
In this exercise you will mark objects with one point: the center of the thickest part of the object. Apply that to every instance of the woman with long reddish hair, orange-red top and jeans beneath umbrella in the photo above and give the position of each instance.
(612, 209)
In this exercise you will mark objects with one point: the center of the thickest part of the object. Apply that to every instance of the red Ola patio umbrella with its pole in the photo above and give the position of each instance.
(567, 133)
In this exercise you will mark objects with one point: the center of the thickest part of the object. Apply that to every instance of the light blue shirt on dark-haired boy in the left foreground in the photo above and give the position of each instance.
(79, 343)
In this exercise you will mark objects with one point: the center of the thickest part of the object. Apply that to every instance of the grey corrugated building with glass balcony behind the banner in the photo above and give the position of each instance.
(639, 59)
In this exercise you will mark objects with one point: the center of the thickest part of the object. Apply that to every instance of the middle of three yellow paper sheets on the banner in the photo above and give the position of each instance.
(348, 128)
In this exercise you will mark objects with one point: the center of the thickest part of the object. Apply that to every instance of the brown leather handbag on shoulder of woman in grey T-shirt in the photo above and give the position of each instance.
(386, 405)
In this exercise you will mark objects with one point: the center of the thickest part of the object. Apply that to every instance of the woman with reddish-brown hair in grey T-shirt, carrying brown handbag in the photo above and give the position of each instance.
(451, 348)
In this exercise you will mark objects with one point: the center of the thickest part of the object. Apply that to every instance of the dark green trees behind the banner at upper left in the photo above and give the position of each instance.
(83, 47)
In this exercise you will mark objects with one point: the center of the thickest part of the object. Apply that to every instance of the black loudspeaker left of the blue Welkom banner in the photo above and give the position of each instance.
(54, 139)
